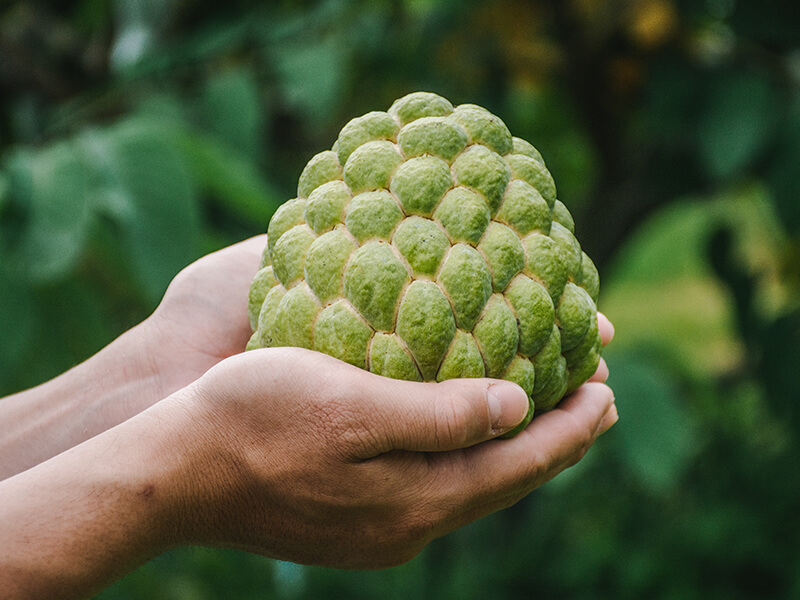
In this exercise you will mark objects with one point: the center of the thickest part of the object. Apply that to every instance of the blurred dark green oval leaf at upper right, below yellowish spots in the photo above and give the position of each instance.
(738, 121)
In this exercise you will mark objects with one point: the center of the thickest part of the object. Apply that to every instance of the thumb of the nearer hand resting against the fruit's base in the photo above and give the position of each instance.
(453, 414)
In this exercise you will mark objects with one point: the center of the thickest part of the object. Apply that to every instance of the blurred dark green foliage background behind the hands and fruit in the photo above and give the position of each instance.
(137, 135)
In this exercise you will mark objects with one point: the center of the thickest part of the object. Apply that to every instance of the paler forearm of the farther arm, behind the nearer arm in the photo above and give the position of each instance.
(110, 387)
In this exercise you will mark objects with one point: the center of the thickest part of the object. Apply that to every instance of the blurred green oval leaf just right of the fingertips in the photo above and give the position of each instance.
(655, 433)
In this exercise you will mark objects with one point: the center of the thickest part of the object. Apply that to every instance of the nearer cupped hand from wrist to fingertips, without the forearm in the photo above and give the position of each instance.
(302, 457)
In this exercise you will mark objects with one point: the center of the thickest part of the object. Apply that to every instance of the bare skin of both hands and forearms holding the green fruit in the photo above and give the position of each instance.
(282, 452)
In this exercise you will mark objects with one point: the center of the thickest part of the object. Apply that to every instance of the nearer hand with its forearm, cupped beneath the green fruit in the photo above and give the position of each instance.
(292, 454)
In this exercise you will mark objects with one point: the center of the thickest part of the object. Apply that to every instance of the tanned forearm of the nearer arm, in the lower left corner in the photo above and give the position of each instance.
(74, 523)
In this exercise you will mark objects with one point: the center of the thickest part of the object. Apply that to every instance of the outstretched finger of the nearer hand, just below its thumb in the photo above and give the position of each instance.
(552, 442)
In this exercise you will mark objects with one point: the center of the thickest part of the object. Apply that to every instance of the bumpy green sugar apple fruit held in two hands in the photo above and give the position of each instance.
(428, 244)
